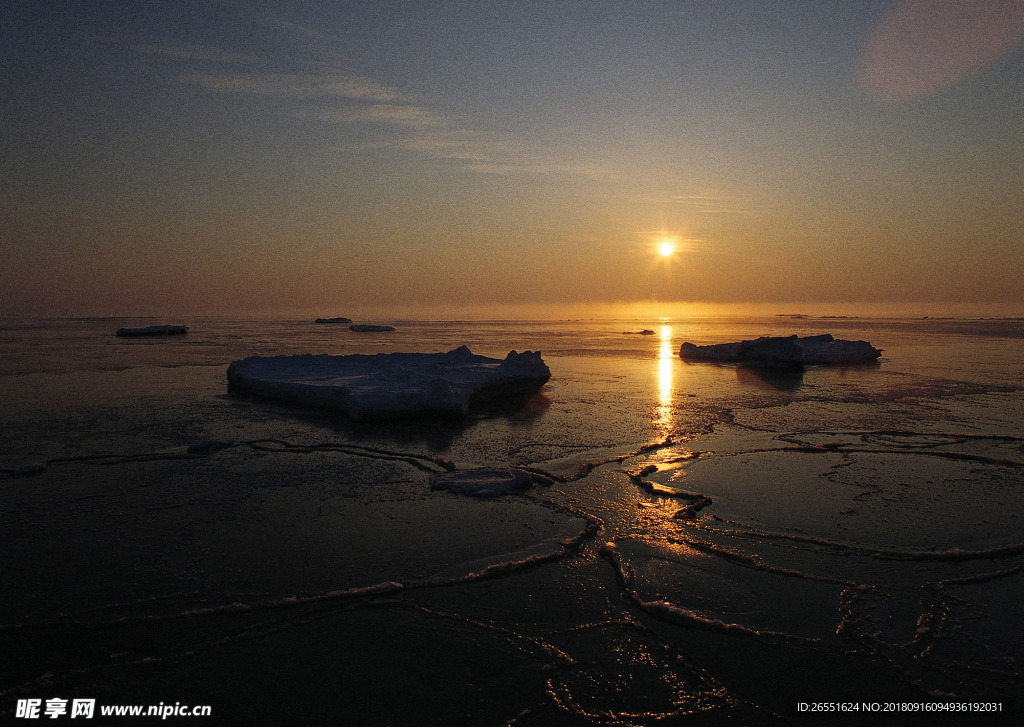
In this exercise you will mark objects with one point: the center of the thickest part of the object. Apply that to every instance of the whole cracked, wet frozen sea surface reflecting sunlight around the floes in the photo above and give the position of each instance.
(693, 545)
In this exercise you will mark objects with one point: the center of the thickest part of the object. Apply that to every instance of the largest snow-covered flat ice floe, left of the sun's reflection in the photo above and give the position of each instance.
(391, 386)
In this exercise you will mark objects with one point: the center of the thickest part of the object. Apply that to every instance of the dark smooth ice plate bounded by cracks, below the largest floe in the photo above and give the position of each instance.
(249, 527)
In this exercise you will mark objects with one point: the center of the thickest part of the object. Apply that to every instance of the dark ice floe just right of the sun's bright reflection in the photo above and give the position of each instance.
(785, 351)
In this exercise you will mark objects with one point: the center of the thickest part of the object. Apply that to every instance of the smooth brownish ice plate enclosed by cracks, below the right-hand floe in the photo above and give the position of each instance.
(895, 500)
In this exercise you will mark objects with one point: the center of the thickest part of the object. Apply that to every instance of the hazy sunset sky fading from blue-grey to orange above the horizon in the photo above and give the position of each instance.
(334, 158)
